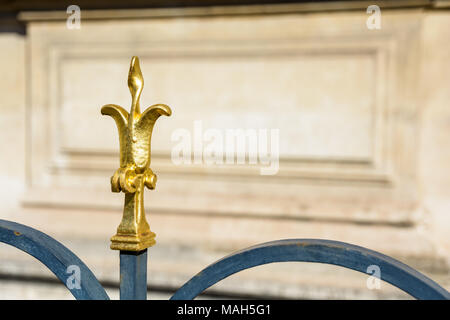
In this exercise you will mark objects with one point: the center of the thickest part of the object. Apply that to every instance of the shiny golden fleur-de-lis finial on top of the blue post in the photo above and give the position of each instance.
(135, 132)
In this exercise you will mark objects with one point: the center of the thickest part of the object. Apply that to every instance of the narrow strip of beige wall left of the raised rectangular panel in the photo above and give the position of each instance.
(13, 121)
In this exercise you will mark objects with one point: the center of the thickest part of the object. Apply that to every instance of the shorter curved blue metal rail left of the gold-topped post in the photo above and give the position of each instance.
(55, 256)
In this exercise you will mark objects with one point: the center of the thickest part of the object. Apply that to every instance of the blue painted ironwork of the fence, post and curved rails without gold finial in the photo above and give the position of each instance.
(133, 265)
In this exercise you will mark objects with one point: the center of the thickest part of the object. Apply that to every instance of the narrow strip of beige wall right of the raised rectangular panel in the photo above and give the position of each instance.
(434, 154)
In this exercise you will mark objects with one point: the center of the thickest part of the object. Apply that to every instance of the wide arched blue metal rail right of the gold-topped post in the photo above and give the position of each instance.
(313, 250)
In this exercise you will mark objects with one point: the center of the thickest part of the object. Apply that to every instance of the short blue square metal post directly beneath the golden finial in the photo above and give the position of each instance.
(133, 275)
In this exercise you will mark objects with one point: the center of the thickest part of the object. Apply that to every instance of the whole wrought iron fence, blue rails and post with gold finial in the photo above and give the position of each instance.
(134, 236)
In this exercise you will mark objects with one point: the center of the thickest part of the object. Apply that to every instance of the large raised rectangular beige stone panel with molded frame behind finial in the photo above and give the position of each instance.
(337, 94)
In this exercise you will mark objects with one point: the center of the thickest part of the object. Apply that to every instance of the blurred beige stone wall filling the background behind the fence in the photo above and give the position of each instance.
(363, 123)
